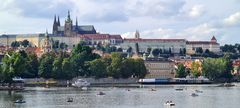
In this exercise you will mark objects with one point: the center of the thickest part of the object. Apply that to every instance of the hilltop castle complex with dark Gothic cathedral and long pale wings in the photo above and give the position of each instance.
(71, 35)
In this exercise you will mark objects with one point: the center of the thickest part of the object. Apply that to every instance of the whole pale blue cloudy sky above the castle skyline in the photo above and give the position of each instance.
(161, 19)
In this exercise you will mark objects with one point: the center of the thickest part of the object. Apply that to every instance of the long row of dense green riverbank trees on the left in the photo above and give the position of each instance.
(63, 66)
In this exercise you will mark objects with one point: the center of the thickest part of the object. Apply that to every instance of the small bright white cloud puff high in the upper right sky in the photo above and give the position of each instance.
(196, 11)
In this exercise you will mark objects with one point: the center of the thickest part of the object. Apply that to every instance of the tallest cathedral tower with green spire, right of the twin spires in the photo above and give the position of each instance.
(68, 26)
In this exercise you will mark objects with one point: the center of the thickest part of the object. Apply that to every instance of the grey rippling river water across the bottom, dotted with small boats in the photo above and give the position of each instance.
(124, 97)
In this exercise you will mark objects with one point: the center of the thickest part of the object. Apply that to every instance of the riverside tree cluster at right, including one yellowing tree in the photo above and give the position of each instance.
(212, 68)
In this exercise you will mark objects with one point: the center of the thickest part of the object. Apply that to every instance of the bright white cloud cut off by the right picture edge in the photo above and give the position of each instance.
(233, 19)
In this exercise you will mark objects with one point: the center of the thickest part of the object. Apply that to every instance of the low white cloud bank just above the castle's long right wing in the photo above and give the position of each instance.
(198, 33)
